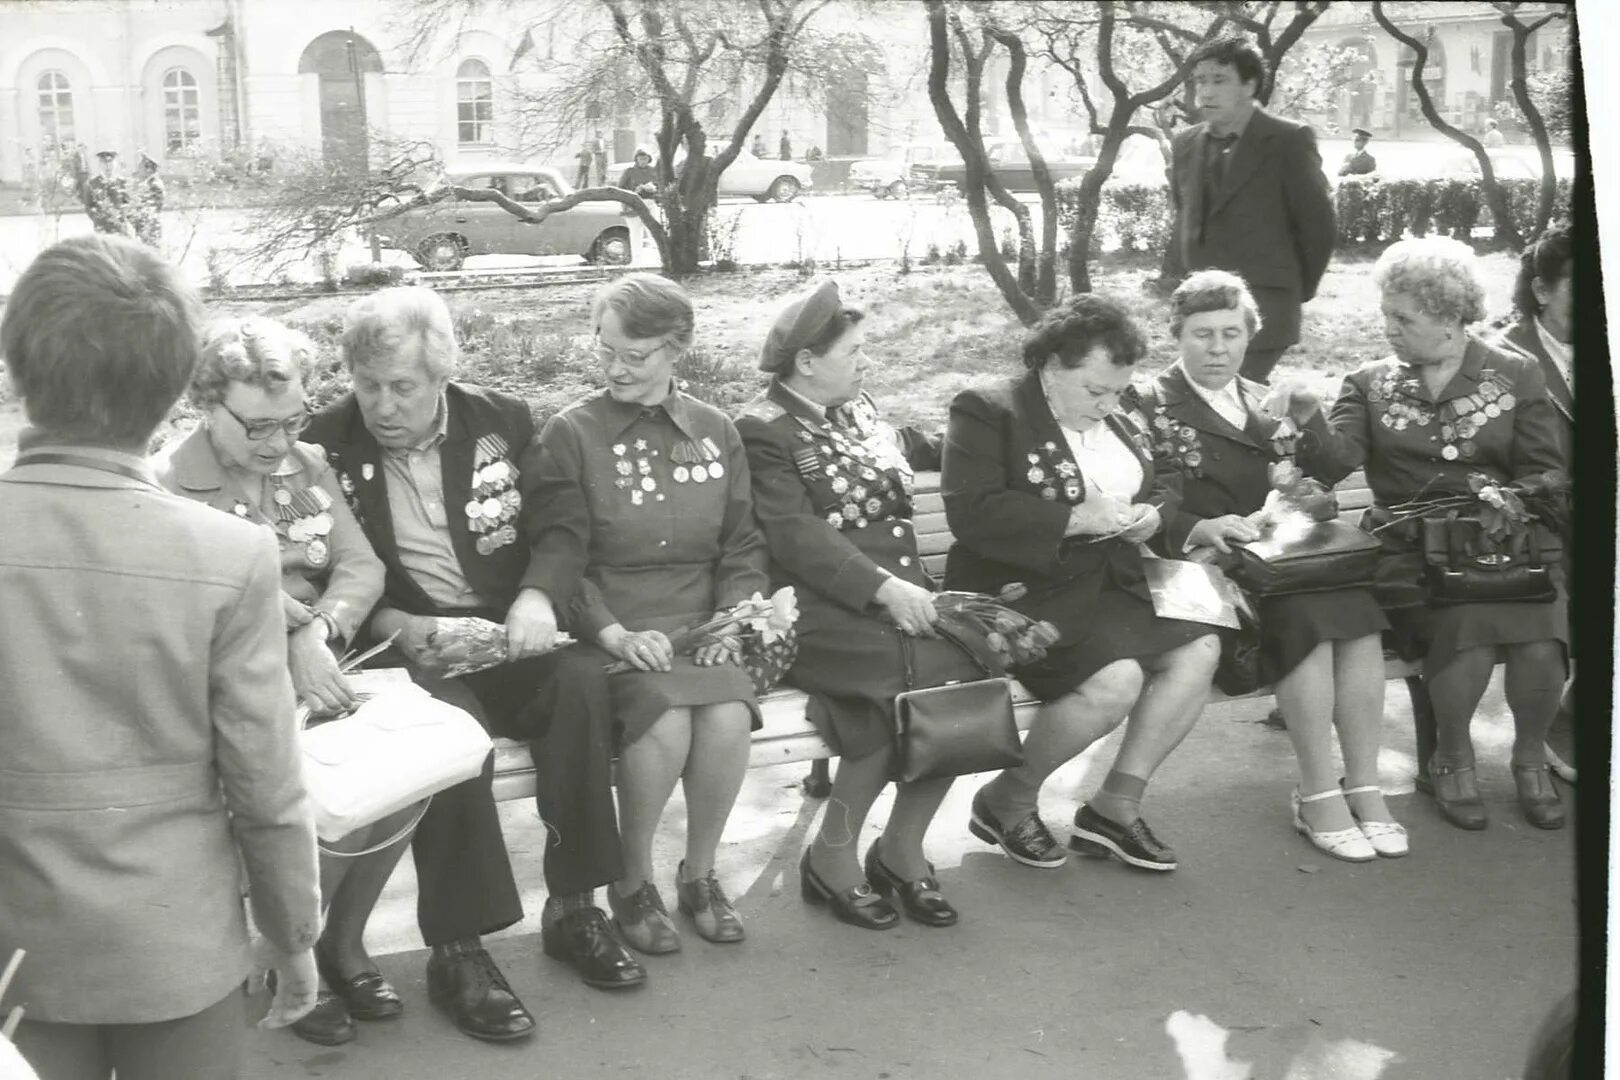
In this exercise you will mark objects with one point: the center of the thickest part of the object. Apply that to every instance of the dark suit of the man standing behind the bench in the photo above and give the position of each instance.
(1271, 221)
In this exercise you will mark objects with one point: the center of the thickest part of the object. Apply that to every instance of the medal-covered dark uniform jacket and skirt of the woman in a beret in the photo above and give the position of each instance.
(833, 496)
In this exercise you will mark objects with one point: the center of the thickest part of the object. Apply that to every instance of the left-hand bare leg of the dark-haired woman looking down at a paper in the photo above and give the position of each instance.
(1064, 729)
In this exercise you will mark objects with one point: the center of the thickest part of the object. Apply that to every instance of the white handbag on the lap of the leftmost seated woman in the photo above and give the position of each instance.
(398, 749)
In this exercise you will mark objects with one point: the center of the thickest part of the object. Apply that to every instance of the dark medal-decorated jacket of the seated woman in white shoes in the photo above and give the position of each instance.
(1226, 469)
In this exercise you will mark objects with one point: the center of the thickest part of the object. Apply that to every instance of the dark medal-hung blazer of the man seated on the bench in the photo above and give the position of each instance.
(542, 558)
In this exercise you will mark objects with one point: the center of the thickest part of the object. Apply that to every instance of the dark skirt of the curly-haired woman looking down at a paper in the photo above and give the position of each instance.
(1117, 626)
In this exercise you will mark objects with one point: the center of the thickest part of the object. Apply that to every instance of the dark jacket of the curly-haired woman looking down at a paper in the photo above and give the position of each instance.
(1004, 454)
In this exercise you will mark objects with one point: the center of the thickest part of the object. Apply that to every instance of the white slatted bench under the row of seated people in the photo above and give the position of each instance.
(787, 736)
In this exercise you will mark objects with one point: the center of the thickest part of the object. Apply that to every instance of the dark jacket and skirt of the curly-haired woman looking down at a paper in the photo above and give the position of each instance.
(1010, 483)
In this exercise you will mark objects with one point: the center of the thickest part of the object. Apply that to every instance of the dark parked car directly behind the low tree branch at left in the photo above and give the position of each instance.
(445, 234)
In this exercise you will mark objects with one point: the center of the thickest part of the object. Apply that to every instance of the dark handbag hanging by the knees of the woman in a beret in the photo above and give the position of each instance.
(955, 729)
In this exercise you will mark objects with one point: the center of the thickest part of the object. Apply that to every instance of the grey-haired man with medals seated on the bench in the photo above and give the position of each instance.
(441, 478)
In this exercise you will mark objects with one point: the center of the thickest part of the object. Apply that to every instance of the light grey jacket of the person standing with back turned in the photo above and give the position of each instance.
(147, 738)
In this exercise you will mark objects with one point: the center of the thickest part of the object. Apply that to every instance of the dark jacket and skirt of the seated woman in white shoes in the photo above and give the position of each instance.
(1226, 470)
